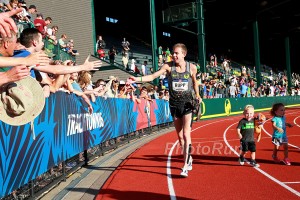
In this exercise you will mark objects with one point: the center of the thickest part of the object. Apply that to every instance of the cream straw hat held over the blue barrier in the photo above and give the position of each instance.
(21, 101)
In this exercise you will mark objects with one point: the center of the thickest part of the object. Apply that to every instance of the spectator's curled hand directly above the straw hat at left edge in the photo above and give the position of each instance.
(14, 74)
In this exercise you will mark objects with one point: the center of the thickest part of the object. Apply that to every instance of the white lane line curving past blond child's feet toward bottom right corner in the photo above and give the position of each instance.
(260, 170)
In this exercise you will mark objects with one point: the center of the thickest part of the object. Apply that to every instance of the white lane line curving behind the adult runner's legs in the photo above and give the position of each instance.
(169, 174)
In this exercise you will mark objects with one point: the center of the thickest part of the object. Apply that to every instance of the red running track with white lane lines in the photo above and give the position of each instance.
(152, 171)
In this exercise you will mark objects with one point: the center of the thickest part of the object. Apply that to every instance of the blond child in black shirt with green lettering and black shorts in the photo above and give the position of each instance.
(245, 131)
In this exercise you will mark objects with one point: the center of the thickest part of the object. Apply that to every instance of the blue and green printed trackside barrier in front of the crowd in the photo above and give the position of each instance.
(64, 129)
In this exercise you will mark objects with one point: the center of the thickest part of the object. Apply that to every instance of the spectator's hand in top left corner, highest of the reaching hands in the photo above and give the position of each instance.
(7, 24)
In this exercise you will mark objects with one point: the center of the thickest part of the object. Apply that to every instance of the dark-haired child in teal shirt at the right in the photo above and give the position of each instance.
(279, 132)
